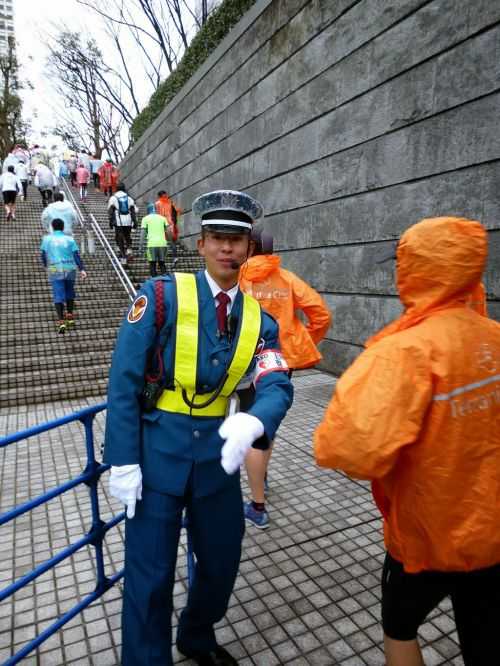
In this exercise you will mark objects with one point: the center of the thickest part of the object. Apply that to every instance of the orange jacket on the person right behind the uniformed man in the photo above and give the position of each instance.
(281, 292)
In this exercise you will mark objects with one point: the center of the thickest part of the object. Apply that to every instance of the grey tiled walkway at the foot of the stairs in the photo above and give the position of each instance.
(308, 589)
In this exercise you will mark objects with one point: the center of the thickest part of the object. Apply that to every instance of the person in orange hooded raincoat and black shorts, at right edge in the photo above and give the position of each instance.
(418, 414)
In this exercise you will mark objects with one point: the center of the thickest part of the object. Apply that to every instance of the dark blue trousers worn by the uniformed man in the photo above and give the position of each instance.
(216, 525)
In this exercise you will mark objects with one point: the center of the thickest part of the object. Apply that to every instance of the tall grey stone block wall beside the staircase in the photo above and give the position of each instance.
(349, 120)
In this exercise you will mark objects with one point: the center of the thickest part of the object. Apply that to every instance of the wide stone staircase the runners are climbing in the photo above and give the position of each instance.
(37, 364)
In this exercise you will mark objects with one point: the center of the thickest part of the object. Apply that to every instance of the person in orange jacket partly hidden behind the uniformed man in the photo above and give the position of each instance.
(281, 293)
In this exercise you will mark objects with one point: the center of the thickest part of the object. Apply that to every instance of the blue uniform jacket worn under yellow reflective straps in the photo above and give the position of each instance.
(170, 447)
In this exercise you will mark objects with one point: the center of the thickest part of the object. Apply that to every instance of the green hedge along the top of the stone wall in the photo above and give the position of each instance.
(206, 40)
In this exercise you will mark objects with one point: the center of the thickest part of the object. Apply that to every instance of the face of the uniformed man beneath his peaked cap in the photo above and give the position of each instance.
(221, 251)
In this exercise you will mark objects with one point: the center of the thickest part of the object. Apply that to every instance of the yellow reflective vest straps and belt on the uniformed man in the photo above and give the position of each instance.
(186, 352)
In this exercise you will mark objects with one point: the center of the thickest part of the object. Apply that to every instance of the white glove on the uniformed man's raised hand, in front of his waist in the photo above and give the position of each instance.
(240, 431)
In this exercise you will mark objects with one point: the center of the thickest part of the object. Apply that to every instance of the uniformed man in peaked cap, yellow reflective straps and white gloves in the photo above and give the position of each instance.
(186, 451)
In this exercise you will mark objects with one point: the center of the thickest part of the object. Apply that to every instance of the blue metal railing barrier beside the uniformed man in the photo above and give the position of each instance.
(94, 537)
